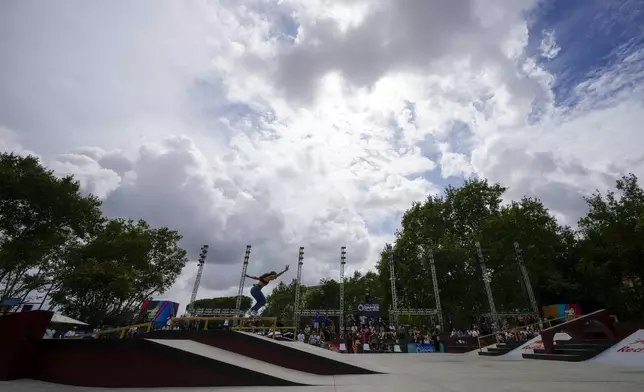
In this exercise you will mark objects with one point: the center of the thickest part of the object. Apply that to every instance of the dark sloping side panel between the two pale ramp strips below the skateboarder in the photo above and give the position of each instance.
(267, 350)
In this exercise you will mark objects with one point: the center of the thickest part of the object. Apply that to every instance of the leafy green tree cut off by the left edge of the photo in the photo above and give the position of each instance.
(39, 215)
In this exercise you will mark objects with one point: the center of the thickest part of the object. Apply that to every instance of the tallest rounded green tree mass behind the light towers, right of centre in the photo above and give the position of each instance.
(451, 224)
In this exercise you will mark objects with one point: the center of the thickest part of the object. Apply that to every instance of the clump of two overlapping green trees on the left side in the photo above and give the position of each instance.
(54, 239)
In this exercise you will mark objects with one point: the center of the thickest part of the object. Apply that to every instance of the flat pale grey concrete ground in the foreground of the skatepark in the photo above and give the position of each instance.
(432, 372)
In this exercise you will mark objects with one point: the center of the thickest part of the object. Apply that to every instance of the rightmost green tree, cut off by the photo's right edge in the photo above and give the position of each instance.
(611, 248)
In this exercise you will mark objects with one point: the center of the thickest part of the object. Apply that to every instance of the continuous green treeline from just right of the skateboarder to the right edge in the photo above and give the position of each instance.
(598, 264)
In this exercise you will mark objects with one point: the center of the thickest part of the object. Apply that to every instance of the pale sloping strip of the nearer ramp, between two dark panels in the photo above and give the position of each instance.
(235, 359)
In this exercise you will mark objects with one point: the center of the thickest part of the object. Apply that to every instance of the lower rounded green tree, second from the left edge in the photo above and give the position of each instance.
(105, 278)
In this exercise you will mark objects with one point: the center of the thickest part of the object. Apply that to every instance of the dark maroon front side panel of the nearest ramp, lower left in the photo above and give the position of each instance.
(137, 363)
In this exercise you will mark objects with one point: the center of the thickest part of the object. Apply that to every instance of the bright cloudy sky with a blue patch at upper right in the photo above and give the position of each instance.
(316, 123)
